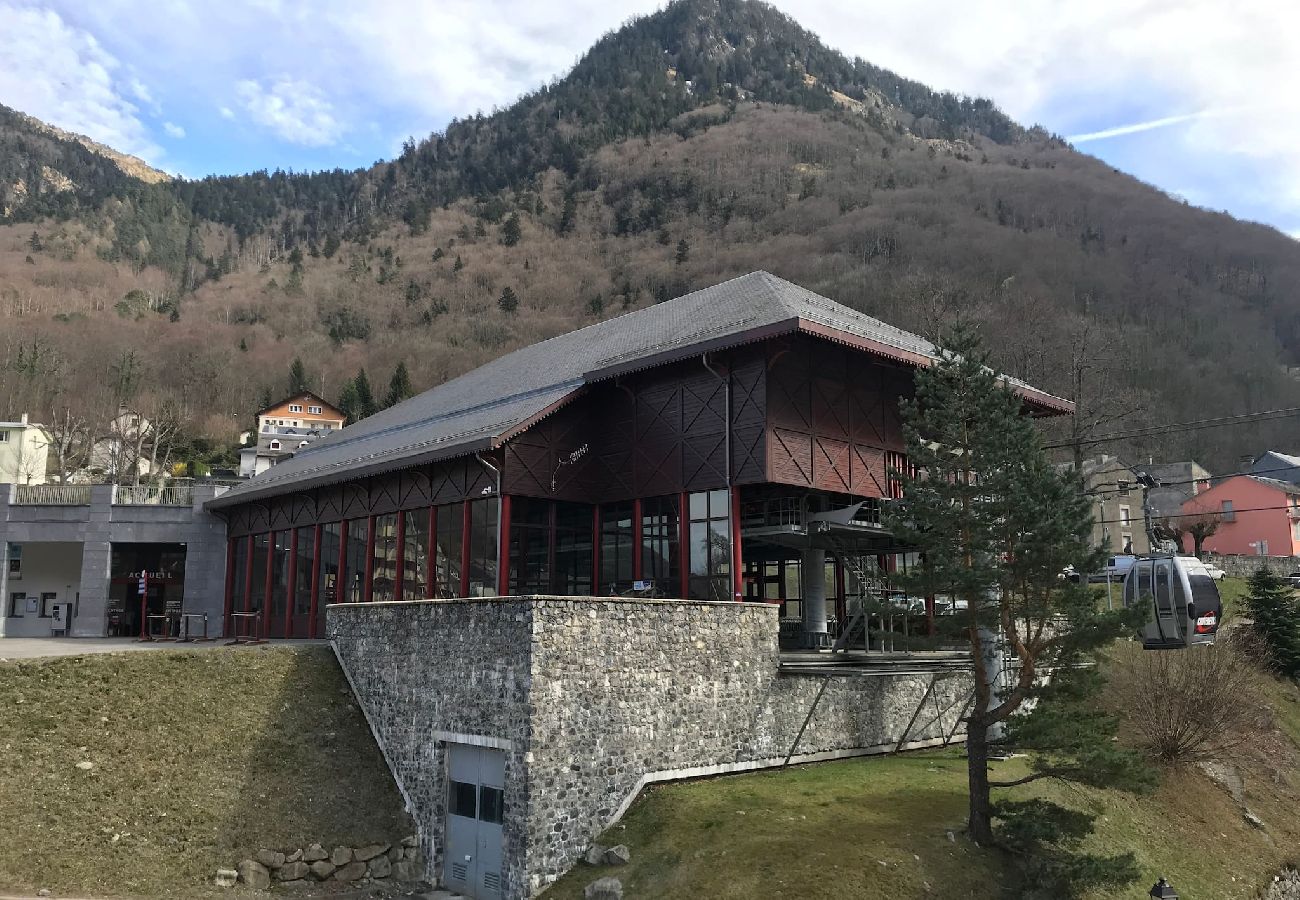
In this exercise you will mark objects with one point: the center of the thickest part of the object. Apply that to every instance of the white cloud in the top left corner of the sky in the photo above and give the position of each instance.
(62, 75)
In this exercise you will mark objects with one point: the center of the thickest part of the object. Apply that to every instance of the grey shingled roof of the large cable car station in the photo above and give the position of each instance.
(470, 413)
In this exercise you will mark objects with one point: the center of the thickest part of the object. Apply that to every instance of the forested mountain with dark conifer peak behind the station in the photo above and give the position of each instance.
(709, 140)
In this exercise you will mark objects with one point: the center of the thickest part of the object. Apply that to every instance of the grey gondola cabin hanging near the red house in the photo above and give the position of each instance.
(1182, 599)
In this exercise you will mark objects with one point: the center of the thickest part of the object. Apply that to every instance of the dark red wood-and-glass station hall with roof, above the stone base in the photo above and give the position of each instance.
(731, 444)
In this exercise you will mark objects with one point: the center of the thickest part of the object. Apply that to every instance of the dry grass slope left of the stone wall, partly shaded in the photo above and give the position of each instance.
(198, 760)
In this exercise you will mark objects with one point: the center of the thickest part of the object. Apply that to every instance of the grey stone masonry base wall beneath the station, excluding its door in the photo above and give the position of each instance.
(591, 699)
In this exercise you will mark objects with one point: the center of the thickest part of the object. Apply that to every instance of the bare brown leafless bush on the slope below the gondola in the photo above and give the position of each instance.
(1190, 706)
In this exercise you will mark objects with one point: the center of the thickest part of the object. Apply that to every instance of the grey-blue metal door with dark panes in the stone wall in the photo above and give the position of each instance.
(476, 781)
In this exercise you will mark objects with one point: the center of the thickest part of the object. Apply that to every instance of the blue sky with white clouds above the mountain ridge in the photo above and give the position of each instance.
(1194, 97)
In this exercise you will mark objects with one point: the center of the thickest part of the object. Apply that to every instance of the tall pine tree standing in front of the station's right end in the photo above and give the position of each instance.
(996, 525)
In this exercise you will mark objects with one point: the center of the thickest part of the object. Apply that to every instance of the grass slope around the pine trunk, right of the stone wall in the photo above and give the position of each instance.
(878, 828)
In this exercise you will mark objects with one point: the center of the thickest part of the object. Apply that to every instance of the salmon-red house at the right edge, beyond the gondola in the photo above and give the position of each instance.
(1253, 516)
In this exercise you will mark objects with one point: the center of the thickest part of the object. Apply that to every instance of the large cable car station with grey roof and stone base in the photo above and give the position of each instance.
(575, 525)
